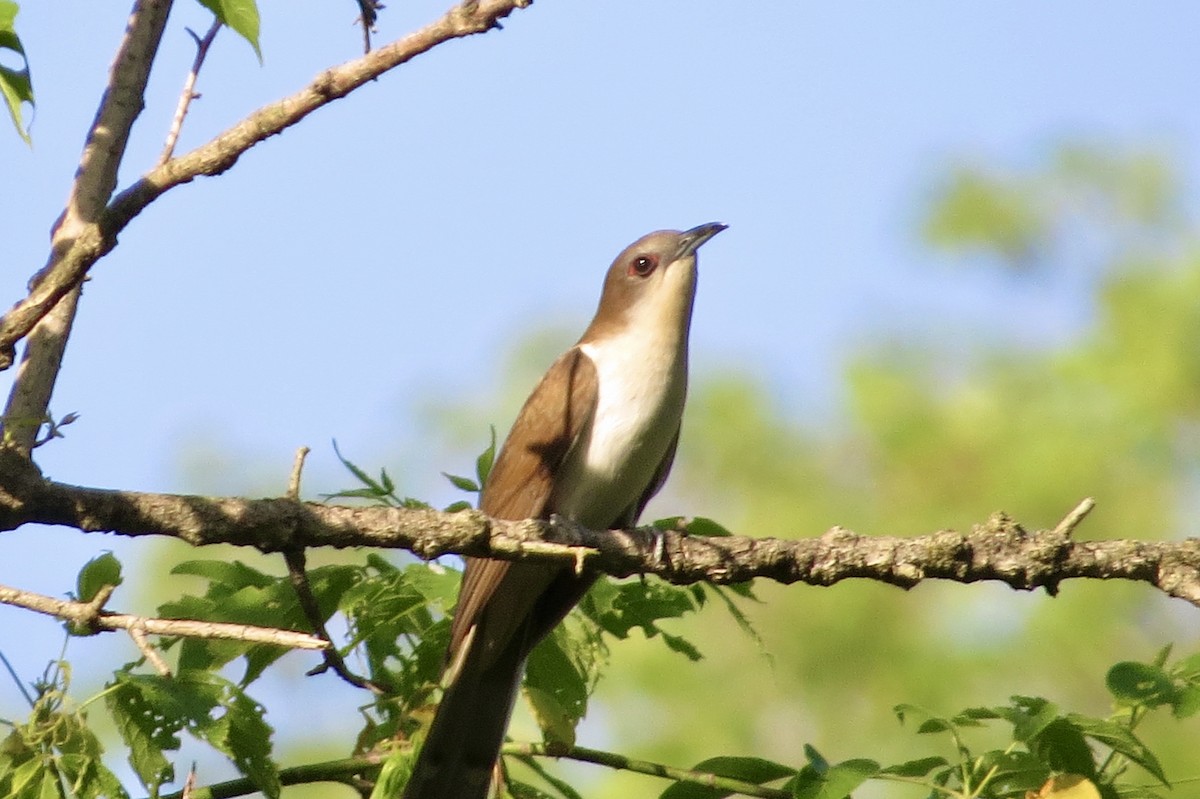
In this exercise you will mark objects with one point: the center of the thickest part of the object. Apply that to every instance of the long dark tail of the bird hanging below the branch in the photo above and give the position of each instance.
(464, 743)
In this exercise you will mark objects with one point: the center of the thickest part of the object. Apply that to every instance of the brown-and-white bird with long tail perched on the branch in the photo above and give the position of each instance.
(593, 443)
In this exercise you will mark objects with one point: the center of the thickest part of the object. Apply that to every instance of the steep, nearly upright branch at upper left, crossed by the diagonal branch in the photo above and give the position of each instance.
(49, 313)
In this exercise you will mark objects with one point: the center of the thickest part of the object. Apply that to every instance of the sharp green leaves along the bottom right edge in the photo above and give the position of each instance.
(1043, 744)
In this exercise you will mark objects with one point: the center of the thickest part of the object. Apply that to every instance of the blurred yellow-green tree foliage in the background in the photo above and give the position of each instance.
(933, 432)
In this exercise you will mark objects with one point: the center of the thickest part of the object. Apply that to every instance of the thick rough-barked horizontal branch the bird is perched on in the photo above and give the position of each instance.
(998, 550)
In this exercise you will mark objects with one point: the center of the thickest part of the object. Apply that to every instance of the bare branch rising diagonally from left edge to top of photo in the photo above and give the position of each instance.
(75, 255)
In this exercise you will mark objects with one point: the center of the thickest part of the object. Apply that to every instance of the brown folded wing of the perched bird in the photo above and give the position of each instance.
(520, 488)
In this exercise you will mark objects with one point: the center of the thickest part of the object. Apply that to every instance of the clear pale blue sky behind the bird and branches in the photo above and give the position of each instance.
(399, 243)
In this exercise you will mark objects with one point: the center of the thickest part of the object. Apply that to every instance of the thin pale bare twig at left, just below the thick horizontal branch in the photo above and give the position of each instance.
(89, 616)
